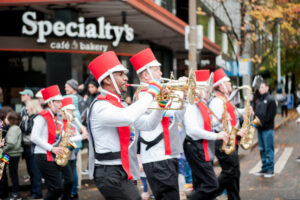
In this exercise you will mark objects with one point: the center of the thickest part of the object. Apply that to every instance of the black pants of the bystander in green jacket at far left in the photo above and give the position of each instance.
(13, 172)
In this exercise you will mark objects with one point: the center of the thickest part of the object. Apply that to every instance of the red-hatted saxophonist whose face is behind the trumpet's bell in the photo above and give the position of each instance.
(199, 147)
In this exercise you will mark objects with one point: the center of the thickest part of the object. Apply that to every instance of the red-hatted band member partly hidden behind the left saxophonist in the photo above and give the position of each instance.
(68, 171)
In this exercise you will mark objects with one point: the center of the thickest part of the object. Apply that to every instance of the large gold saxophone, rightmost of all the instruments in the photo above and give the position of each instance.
(250, 126)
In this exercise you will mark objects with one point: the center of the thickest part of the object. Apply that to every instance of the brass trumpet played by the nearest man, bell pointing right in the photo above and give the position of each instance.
(173, 86)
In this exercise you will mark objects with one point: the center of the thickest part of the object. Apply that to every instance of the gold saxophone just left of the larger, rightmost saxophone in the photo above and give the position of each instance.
(228, 147)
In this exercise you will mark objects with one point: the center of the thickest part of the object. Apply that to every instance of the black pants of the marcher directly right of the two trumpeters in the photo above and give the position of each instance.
(205, 182)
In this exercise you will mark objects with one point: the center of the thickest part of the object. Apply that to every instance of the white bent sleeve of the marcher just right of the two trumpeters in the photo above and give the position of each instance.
(194, 124)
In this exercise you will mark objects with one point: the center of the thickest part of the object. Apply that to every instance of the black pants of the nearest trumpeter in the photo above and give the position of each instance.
(112, 181)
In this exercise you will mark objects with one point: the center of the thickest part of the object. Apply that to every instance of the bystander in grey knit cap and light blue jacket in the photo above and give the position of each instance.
(71, 88)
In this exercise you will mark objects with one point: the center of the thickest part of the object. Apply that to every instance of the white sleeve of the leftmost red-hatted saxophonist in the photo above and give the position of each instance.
(40, 124)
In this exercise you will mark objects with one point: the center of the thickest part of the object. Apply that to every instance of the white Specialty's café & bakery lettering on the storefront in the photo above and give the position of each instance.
(99, 30)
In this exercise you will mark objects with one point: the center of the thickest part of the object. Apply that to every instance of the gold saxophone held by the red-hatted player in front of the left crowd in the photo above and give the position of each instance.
(66, 145)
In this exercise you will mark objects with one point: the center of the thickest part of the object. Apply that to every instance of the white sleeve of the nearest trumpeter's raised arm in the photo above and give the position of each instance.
(112, 116)
